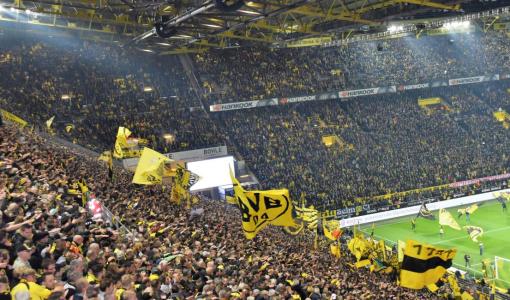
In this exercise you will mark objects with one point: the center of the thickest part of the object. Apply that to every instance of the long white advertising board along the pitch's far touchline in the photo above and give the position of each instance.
(413, 210)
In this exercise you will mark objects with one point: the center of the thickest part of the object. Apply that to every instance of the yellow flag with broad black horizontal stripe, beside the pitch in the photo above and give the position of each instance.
(424, 264)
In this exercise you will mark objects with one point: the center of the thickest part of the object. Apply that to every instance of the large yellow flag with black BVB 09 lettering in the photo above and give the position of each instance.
(261, 208)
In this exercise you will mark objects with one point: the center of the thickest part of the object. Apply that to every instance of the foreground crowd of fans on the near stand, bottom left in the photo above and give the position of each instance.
(51, 247)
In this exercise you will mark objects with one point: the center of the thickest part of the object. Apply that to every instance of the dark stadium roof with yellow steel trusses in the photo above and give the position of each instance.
(196, 25)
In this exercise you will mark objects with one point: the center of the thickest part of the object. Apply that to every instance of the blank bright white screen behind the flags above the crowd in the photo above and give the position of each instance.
(212, 172)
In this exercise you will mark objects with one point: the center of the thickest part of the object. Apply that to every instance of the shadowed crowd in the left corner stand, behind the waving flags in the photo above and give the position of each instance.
(107, 86)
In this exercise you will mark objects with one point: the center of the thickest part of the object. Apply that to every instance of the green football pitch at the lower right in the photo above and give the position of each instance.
(489, 216)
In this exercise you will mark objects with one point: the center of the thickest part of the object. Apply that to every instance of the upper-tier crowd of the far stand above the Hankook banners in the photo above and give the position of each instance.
(243, 74)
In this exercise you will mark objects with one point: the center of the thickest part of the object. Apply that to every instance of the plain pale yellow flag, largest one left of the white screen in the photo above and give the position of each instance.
(150, 167)
